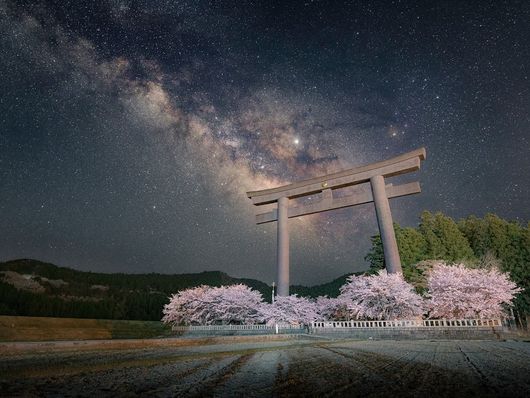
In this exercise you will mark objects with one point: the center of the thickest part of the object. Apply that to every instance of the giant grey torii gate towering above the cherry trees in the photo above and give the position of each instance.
(374, 173)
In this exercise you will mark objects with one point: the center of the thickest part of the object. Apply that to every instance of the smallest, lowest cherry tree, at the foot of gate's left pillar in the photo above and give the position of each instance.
(290, 309)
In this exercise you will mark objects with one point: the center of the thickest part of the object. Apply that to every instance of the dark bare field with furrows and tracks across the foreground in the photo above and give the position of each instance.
(257, 367)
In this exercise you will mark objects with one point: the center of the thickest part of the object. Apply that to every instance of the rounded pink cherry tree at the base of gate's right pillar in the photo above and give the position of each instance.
(381, 296)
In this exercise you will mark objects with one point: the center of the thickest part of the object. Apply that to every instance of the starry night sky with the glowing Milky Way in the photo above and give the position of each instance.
(131, 130)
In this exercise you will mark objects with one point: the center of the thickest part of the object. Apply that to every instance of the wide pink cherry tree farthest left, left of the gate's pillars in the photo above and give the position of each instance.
(205, 305)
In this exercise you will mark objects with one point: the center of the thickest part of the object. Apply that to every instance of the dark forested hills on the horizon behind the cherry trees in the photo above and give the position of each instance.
(34, 288)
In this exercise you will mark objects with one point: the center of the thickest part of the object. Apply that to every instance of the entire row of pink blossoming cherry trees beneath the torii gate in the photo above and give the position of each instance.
(453, 292)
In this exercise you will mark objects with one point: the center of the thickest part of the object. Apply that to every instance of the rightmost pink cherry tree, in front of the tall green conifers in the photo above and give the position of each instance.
(460, 292)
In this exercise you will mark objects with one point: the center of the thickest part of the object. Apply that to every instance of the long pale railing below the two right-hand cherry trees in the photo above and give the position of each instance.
(413, 323)
